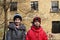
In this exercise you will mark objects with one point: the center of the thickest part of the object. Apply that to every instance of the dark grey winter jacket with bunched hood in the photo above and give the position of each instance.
(14, 33)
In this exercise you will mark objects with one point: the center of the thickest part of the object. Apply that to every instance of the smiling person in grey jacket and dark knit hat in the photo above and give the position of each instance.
(16, 30)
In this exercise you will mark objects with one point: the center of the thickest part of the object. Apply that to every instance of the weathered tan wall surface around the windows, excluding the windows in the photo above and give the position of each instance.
(24, 8)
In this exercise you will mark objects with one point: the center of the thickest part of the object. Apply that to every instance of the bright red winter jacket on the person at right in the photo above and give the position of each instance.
(36, 34)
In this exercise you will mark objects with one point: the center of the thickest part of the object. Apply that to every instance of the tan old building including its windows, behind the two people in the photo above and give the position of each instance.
(48, 10)
